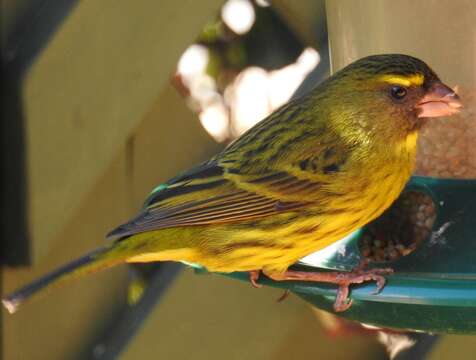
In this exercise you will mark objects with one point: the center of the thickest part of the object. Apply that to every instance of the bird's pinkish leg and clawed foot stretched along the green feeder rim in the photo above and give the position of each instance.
(342, 279)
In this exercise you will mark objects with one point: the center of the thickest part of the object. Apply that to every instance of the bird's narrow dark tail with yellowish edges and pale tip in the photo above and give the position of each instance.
(90, 263)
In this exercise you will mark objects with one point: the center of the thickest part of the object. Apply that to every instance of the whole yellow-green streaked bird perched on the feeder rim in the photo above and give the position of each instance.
(312, 172)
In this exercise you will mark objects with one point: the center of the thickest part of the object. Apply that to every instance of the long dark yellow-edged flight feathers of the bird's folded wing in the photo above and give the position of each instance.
(204, 195)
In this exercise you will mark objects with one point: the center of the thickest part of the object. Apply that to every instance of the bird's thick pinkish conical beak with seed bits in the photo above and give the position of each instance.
(440, 100)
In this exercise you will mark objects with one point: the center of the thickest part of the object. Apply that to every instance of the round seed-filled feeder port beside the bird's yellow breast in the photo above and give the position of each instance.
(400, 229)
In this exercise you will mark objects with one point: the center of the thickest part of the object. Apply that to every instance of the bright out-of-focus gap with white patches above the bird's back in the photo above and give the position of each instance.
(254, 62)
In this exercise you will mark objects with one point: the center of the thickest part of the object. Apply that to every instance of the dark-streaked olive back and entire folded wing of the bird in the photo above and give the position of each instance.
(273, 168)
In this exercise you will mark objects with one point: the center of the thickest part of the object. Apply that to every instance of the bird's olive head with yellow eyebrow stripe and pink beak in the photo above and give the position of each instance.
(390, 95)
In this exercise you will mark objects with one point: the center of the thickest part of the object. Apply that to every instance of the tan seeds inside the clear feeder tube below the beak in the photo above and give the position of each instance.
(447, 146)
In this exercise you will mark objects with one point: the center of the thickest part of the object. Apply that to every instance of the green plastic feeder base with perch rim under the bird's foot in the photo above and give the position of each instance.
(433, 288)
